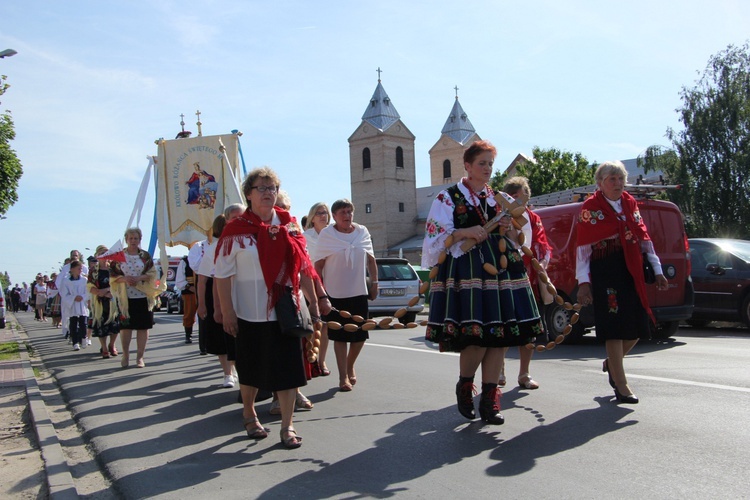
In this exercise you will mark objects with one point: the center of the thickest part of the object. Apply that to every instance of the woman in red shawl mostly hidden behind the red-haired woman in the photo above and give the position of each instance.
(536, 240)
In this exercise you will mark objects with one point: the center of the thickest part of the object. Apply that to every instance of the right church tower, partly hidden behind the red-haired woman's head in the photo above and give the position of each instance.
(447, 155)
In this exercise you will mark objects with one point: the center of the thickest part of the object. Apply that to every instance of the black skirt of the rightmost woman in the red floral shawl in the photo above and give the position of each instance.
(618, 312)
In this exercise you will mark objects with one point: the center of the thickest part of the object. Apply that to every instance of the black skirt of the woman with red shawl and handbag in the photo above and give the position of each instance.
(267, 359)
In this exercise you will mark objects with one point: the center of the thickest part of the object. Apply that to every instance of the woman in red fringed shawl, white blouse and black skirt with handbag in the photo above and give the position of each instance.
(260, 254)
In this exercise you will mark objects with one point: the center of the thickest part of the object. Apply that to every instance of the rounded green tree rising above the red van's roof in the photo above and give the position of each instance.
(551, 170)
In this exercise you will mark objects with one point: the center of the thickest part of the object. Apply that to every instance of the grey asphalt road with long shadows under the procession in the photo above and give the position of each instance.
(171, 431)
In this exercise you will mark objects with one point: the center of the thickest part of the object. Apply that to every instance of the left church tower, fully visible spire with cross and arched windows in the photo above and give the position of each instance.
(383, 173)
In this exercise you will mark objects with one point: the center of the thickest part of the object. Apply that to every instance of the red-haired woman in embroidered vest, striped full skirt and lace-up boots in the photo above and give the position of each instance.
(472, 311)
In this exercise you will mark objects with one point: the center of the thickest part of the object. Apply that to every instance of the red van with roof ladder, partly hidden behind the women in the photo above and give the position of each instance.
(664, 222)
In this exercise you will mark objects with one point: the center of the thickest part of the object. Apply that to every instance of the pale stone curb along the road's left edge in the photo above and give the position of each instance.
(59, 478)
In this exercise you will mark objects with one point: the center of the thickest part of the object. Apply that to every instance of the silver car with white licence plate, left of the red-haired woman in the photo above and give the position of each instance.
(398, 284)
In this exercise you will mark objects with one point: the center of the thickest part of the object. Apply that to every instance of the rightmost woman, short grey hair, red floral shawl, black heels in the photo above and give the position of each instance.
(611, 240)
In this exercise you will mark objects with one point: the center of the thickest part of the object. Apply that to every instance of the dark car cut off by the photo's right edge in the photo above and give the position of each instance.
(721, 277)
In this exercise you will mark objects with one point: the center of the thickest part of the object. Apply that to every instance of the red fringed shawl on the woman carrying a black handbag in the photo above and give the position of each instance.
(282, 249)
